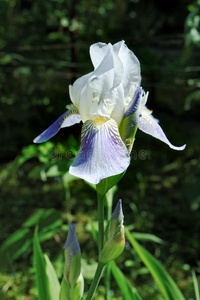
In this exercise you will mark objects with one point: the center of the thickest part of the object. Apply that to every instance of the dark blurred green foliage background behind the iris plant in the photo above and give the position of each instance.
(43, 48)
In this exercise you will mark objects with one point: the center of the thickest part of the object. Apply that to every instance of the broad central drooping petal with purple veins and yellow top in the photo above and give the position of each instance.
(102, 153)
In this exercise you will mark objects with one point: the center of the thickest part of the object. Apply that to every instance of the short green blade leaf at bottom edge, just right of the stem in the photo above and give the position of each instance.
(126, 288)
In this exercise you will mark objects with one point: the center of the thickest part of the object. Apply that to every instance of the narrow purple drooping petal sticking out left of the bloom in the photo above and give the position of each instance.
(69, 118)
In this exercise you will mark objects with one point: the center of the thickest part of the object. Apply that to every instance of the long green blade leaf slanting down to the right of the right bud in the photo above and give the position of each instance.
(166, 284)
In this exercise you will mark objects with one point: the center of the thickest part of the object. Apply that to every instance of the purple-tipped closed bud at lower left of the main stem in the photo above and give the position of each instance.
(72, 268)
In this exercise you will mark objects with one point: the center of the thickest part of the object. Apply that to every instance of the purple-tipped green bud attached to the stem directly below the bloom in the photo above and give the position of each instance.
(114, 236)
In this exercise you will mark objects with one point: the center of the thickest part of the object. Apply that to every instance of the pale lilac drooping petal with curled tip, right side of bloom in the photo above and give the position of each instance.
(149, 125)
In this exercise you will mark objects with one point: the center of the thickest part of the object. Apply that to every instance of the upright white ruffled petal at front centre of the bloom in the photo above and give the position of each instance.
(108, 94)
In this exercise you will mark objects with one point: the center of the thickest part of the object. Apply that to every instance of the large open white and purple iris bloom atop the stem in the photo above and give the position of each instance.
(110, 103)
